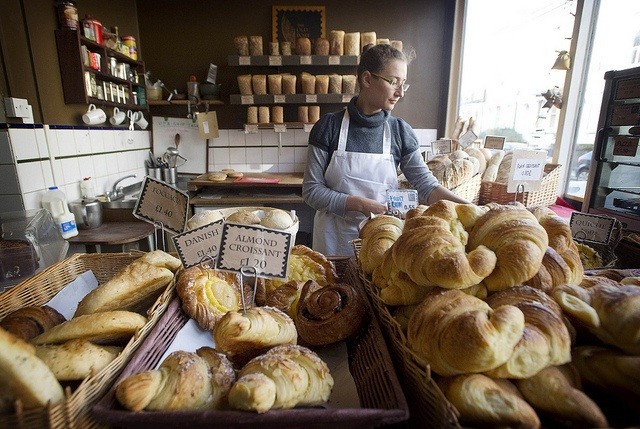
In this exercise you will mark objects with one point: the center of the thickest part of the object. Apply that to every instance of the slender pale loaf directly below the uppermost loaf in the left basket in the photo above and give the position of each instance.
(107, 327)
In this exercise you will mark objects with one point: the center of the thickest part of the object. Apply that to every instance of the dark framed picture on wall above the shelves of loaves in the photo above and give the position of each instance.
(290, 22)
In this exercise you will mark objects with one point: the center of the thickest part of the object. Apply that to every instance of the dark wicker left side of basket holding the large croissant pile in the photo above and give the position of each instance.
(428, 406)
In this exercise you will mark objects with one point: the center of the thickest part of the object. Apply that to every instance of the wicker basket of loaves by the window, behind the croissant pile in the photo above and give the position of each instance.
(494, 192)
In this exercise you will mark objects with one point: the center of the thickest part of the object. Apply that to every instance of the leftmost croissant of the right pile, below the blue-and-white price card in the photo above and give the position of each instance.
(377, 235)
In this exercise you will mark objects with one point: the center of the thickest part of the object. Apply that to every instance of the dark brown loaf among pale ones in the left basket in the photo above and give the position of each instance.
(31, 321)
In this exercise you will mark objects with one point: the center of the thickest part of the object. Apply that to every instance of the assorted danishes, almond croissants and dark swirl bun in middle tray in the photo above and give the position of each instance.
(262, 358)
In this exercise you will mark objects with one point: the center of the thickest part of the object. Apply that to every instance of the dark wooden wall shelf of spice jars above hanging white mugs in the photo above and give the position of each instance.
(93, 73)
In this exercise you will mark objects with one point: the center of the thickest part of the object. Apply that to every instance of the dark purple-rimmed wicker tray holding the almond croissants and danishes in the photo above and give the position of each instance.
(380, 393)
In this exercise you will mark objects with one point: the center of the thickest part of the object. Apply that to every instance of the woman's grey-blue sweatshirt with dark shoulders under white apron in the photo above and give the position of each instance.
(365, 135)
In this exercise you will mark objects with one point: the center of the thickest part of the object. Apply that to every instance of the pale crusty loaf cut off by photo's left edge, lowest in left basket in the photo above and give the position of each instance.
(24, 376)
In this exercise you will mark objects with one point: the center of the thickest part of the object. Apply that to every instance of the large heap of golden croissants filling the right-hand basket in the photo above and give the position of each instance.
(495, 300)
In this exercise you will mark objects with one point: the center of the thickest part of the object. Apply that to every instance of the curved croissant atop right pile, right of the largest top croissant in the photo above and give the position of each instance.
(518, 240)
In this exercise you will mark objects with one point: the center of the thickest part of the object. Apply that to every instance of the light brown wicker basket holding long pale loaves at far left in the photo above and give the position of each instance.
(74, 412)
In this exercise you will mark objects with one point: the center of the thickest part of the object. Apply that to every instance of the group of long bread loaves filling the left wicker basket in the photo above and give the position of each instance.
(40, 350)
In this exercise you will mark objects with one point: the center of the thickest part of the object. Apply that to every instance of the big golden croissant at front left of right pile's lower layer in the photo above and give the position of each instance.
(458, 333)
